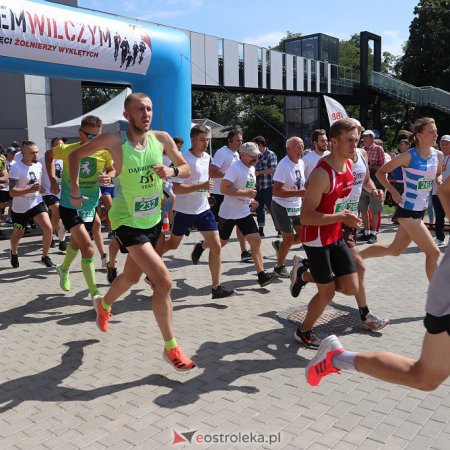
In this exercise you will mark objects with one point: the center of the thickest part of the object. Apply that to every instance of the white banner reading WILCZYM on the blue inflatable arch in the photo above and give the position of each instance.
(49, 34)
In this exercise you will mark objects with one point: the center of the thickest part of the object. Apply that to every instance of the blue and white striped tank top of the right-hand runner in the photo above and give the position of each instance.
(419, 179)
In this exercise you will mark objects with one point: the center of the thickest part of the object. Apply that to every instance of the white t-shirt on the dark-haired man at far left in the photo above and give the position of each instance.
(27, 175)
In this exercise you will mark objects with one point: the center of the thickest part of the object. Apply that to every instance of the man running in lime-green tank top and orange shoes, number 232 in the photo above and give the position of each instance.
(136, 213)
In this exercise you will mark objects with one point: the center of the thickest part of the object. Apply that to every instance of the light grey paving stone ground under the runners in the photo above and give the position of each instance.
(66, 385)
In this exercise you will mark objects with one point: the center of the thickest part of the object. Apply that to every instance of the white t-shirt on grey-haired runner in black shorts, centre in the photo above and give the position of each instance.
(242, 177)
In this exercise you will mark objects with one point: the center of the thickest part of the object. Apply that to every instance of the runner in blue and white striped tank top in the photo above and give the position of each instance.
(422, 166)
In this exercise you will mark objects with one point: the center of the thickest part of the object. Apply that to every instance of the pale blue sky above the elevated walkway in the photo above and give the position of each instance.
(264, 23)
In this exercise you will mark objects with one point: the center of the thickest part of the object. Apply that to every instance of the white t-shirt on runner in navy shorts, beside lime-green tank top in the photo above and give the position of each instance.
(194, 202)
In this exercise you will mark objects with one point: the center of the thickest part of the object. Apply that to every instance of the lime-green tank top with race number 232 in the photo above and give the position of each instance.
(137, 202)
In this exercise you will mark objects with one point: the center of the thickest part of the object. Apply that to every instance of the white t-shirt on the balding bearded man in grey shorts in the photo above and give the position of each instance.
(292, 176)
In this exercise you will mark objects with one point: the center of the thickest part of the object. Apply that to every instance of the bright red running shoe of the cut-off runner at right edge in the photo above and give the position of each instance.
(322, 364)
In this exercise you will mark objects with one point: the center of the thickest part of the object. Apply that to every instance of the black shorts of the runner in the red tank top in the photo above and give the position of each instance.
(329, 262)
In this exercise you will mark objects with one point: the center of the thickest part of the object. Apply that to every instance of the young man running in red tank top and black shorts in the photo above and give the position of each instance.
(323, 212)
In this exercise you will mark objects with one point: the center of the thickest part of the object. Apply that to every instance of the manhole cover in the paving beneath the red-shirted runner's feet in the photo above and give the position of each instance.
(336, 319)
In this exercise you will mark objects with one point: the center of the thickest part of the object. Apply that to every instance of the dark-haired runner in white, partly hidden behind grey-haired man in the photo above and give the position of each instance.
(220, 163)
